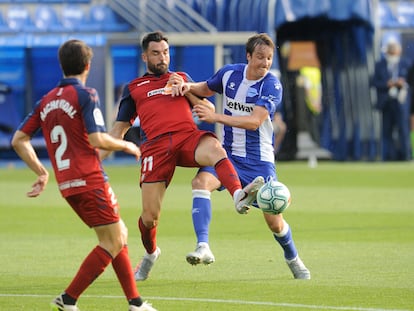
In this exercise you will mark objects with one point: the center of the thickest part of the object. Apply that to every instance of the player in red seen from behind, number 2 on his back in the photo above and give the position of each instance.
(73, 128)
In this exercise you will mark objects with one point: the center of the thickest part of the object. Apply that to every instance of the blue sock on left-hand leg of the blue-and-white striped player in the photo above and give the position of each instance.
(201, 213)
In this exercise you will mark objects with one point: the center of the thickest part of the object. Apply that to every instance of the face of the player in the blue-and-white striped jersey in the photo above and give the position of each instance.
(259, 62)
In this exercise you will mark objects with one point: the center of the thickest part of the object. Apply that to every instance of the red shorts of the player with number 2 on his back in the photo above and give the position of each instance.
(96, 207)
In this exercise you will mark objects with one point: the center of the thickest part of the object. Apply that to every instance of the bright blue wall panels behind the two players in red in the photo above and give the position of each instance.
(31, 72)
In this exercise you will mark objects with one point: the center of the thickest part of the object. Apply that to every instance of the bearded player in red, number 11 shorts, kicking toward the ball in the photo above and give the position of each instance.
(170, 138)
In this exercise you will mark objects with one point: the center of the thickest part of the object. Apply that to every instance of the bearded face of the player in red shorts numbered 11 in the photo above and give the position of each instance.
(157, 57)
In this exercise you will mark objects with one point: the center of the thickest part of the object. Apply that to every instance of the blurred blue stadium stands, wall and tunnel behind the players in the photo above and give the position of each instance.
(347, 36)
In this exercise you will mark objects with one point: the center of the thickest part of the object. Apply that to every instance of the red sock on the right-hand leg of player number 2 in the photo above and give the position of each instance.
(123, 269)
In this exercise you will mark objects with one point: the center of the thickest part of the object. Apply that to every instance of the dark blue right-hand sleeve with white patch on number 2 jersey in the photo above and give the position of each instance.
(91, 111)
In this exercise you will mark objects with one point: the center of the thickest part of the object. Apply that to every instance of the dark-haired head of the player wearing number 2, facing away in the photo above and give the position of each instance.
(74, 55)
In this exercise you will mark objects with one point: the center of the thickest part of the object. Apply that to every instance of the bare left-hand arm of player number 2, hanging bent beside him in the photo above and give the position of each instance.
(24, 149)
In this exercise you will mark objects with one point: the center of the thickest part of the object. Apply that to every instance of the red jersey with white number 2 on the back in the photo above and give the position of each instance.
(66, 115)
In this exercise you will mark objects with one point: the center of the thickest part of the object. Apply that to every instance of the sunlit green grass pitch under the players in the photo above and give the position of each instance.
(353, 224)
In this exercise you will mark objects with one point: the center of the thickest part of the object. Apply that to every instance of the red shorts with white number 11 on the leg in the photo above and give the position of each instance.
(161, 155)
